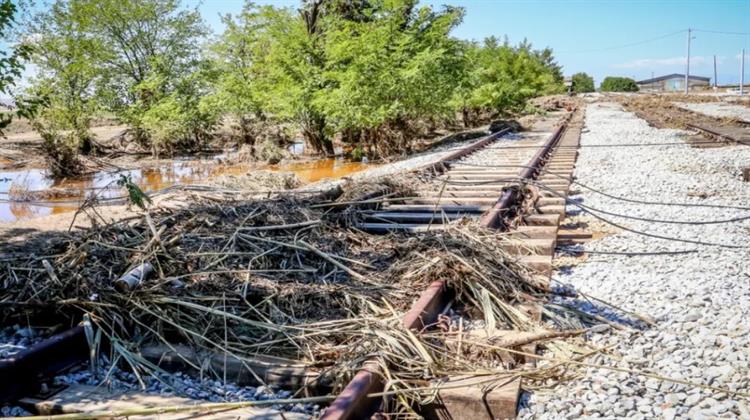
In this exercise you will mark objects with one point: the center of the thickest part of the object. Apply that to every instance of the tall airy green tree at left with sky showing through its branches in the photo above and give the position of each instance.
(152, 47)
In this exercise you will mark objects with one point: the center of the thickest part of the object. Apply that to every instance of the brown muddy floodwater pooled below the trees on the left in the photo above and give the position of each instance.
(69, 193)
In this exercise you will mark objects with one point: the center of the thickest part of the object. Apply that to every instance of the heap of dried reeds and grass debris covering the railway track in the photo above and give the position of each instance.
(283, 277)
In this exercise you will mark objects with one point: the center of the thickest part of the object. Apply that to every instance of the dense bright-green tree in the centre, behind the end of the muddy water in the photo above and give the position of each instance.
(385, 72)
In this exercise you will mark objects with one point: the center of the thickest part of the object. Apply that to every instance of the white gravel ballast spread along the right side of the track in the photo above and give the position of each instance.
(700, 301)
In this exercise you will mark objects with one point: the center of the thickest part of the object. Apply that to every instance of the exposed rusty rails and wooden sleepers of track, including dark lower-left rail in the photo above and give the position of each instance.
(462, 184)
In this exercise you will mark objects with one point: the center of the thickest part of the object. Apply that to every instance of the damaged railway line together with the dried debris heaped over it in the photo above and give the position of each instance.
(502, 220)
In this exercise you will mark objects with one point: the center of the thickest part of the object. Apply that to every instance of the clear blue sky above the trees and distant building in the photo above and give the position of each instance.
(583, 32)
